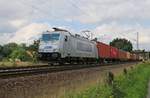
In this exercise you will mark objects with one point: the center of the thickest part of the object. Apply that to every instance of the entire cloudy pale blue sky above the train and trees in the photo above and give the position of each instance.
(23, 21)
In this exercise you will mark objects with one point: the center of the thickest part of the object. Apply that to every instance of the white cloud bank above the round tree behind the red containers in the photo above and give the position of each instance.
(107, 32)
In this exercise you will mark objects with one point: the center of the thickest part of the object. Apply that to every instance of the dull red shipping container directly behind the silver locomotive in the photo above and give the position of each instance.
(103, 50)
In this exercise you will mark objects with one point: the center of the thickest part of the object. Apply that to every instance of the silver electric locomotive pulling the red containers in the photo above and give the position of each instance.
(62, 46)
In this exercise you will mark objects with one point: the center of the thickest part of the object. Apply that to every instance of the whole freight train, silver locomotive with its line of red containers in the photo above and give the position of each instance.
(62, 47)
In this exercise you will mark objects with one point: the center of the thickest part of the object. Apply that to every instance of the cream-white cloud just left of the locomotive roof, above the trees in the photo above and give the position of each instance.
(29, 33)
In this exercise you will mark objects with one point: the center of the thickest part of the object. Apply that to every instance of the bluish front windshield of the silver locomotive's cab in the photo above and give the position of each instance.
(50, 37)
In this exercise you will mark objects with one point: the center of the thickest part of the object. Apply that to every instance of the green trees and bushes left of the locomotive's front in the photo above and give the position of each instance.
(22, 52)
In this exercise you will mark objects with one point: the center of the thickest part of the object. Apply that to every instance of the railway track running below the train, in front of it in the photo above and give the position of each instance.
(32, 70)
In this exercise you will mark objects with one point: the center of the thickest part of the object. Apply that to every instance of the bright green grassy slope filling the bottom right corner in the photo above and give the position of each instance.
(132, 84)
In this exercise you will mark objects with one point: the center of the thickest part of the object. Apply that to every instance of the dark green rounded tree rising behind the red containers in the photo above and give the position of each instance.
(122, 44)
